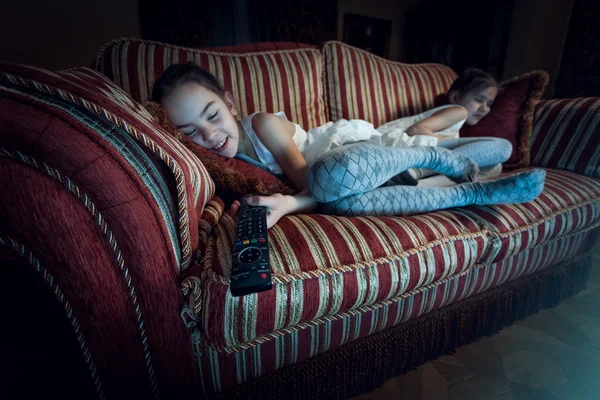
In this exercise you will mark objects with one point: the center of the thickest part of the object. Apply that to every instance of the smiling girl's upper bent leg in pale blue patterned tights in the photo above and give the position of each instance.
(361, 167)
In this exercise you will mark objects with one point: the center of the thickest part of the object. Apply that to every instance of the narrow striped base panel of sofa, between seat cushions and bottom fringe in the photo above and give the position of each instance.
(225, 367)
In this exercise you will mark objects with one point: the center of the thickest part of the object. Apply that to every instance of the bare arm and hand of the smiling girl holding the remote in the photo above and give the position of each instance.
(276, 134)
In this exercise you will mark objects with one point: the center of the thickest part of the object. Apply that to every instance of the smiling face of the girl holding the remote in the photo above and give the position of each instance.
(204, 117)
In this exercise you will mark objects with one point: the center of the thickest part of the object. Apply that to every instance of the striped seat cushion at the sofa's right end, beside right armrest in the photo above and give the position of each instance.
(569, 203)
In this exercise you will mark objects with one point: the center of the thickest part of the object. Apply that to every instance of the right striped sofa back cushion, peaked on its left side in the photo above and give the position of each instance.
(360, 85)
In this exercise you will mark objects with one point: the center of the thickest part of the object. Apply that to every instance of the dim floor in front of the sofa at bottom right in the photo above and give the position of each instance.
(554, 354)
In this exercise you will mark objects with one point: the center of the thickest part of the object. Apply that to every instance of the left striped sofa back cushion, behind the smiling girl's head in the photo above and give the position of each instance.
(267, 81)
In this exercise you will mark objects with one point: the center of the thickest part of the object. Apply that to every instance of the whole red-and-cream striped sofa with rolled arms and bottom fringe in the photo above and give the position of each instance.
(116, 252)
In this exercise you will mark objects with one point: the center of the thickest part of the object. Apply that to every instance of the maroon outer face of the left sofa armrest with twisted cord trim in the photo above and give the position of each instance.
(75, 213)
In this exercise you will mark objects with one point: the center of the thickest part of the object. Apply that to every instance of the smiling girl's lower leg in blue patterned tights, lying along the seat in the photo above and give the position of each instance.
(408, 200)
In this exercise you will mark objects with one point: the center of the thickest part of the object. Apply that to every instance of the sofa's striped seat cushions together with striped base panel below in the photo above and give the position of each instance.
(337, 279)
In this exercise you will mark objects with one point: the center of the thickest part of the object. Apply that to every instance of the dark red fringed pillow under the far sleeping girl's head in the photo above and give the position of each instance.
(511, 116)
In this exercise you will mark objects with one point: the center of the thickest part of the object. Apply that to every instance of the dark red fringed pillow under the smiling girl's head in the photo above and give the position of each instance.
(233, 178)
